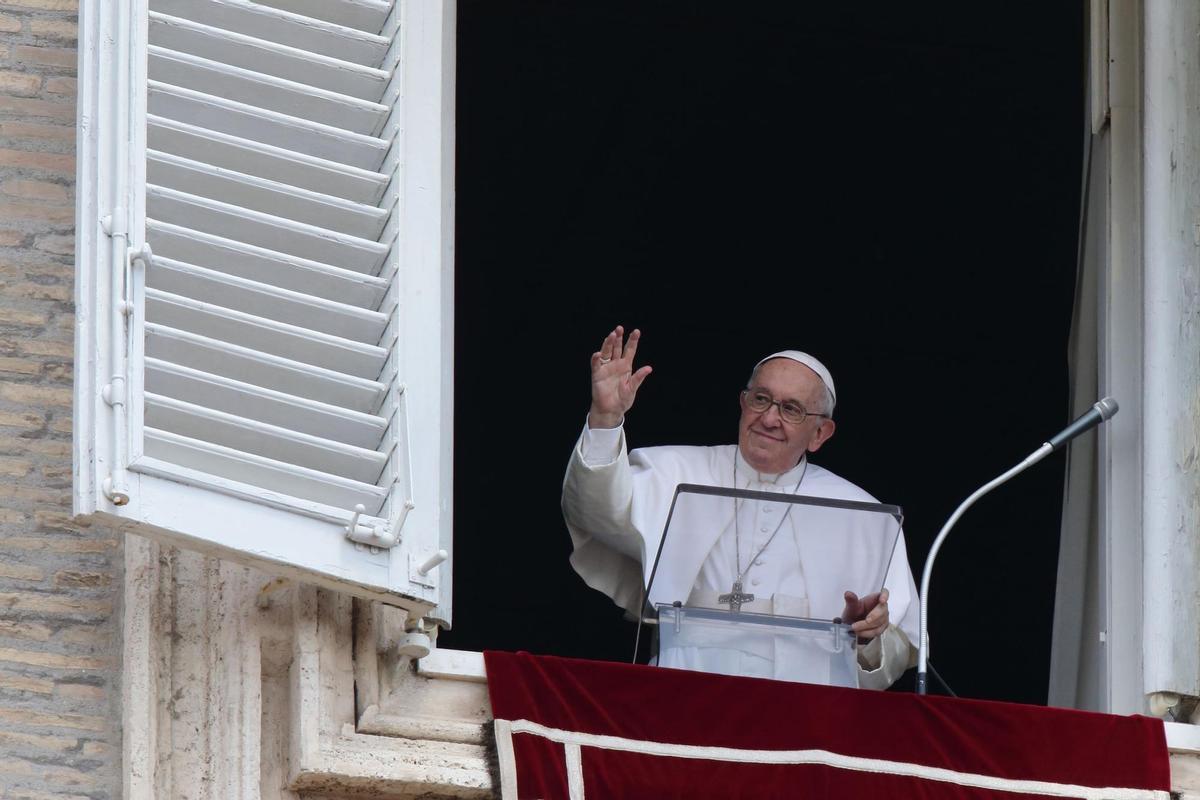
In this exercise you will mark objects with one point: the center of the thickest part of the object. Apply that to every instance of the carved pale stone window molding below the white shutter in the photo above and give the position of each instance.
(239, 688)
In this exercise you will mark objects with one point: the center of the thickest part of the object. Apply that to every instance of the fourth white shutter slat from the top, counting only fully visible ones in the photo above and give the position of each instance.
(265, 161)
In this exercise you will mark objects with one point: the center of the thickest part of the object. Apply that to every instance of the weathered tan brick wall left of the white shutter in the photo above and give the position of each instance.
(59, 581)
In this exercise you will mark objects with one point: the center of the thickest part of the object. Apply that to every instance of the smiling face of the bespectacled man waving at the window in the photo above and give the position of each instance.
(769, 443)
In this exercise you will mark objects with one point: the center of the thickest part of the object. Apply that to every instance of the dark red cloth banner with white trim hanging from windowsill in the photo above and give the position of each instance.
(572, 730)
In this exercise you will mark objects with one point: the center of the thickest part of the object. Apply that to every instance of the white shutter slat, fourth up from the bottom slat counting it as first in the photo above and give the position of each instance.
(265, 370)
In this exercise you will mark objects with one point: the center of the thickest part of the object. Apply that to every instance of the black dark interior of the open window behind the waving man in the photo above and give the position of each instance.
(892, 188)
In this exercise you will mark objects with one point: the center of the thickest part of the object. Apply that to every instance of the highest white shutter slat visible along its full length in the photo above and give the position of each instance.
(268, 58)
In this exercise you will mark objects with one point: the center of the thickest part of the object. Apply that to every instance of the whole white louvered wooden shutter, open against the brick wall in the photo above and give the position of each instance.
(267, 190)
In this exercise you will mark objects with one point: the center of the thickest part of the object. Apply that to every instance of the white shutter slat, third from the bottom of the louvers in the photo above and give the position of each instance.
(265, 405)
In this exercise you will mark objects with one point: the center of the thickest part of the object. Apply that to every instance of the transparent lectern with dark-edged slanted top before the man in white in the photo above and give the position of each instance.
(751, 584)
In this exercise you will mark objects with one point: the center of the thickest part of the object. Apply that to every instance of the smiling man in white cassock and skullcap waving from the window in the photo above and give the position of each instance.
(616, 506)
